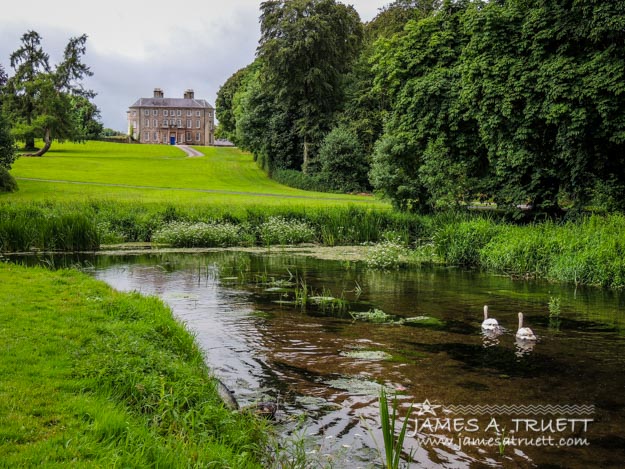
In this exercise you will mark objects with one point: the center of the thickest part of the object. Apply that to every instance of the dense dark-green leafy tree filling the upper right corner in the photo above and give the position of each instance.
(546, 83)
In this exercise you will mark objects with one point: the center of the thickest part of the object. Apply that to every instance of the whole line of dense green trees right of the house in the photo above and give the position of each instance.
(439, 104)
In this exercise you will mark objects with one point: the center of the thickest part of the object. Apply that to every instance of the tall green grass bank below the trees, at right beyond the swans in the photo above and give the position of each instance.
(586, 252)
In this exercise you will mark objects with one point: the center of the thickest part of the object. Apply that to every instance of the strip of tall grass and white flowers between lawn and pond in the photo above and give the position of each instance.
(82, 226)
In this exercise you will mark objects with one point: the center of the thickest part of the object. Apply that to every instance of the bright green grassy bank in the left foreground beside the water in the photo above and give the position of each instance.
(94, 377)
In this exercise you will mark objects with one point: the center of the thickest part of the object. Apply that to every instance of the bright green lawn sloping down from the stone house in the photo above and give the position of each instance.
(156, 173)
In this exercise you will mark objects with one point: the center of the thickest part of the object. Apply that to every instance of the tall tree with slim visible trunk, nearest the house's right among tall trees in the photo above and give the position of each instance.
(306, 47)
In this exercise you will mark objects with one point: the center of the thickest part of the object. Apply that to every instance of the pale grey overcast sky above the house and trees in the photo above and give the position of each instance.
(136, 46)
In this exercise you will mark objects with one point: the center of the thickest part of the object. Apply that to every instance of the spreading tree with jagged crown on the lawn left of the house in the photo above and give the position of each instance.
(39, 98)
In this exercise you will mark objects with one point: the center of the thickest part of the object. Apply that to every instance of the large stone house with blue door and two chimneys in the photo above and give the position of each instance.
(172, 121)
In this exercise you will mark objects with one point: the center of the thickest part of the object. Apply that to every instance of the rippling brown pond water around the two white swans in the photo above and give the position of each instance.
(322, 337)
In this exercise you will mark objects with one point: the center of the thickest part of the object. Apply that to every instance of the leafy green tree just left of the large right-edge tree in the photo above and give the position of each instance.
(430, 154)
